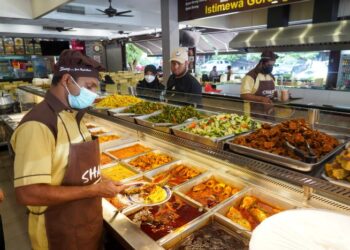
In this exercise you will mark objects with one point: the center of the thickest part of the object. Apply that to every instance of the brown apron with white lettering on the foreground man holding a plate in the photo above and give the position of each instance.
(77, 224)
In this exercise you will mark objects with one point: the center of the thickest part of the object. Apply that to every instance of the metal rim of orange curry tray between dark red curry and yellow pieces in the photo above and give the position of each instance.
(231, 180)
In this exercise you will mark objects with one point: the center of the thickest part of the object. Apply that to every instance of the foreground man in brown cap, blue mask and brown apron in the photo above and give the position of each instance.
(56, 166)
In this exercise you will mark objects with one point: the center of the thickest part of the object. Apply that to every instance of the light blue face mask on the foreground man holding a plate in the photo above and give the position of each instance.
(85, 98)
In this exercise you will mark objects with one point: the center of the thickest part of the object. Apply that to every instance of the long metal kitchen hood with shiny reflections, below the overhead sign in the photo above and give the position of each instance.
(321, 36)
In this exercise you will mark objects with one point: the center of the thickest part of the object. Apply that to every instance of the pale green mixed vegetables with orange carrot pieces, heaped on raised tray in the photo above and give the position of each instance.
(222, 125)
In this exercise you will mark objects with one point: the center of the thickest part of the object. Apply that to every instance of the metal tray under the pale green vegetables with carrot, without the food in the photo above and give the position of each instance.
(198, 138)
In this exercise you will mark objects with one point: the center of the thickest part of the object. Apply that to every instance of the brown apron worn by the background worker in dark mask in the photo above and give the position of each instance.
(266, 89)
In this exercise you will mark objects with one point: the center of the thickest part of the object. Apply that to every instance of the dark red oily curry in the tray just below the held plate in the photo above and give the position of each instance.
(159, 221)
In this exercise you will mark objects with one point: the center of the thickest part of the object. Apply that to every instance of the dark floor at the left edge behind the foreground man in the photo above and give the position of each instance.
(14, 216)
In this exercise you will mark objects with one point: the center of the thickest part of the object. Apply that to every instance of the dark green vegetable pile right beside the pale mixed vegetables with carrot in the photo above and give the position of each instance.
(176, 115)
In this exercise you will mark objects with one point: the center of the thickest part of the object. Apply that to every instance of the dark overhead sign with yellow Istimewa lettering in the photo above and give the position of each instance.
(193, 9)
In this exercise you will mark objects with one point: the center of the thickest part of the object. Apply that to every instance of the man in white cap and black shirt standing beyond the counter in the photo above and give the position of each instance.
(181, 80)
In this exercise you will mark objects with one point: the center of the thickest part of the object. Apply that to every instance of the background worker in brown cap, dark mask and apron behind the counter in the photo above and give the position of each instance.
(258, 86)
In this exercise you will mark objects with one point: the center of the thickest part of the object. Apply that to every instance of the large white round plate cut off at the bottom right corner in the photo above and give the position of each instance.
(303, 229)
